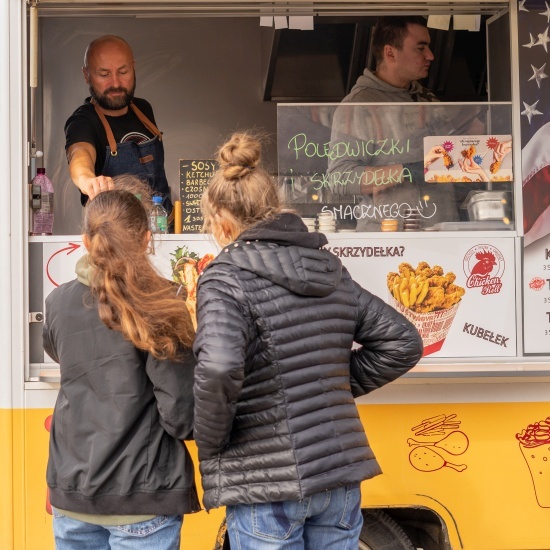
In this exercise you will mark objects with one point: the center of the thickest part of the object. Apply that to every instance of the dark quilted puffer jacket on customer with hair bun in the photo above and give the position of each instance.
(275, 416)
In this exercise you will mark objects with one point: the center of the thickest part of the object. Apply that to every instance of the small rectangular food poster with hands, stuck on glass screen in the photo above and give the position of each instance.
(468, 159)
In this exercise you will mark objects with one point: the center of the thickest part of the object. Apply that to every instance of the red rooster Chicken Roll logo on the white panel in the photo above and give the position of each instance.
(483, 267)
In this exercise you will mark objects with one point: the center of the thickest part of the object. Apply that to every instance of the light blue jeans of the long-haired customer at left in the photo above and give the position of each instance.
(159, 533)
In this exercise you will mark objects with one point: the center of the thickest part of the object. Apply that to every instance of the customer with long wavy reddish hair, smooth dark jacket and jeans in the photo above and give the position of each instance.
(119, 474)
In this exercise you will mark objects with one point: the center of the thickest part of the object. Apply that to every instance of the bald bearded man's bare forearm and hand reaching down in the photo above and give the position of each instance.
(81, 157)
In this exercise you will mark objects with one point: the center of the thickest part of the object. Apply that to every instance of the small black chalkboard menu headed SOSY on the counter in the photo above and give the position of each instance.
(194, 177)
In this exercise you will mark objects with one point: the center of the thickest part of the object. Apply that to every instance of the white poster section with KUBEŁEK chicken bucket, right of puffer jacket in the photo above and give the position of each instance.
(458, 292)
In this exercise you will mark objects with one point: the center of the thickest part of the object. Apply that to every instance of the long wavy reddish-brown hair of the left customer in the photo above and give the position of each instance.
(131, 296)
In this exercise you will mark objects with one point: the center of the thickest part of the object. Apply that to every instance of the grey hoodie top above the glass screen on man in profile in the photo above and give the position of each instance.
(369, 88)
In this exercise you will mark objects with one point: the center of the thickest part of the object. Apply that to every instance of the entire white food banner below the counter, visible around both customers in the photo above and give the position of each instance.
(459, 292)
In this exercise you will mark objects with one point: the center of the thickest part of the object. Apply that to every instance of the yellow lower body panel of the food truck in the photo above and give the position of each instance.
(495, 502)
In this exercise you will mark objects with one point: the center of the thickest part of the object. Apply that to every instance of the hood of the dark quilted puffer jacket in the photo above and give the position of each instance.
(283, 252)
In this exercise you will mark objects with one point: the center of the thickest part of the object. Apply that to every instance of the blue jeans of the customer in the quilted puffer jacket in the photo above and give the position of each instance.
(330, 520)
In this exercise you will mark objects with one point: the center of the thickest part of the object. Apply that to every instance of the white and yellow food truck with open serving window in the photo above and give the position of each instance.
(464, 438)
